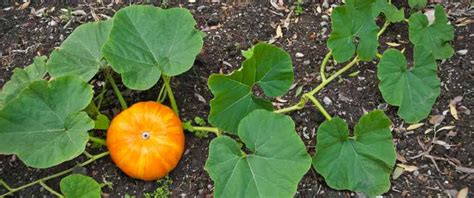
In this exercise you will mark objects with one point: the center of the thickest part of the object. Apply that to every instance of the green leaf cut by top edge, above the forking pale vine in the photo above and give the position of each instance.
(350, 22)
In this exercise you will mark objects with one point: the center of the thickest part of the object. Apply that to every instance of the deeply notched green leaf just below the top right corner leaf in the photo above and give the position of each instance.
(414, 90)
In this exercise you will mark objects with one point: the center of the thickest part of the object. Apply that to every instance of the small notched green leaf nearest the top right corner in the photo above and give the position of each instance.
(434, 37)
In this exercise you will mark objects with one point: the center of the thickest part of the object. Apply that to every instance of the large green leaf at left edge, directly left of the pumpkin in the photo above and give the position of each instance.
(44, 126)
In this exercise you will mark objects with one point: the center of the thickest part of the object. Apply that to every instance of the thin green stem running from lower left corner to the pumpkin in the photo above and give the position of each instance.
(44, 179)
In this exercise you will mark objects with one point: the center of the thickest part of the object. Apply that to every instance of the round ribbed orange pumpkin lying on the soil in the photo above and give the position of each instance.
(146, 141)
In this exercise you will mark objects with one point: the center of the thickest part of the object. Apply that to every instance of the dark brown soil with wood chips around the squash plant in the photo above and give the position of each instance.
(230, 29)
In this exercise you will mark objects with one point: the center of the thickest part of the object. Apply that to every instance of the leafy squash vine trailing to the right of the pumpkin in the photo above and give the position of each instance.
(274, 158)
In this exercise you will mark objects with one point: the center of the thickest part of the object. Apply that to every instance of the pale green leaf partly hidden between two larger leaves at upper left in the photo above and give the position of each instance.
(80, 53)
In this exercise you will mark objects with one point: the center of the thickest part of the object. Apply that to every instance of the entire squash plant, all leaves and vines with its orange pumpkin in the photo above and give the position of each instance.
(257, 152)
